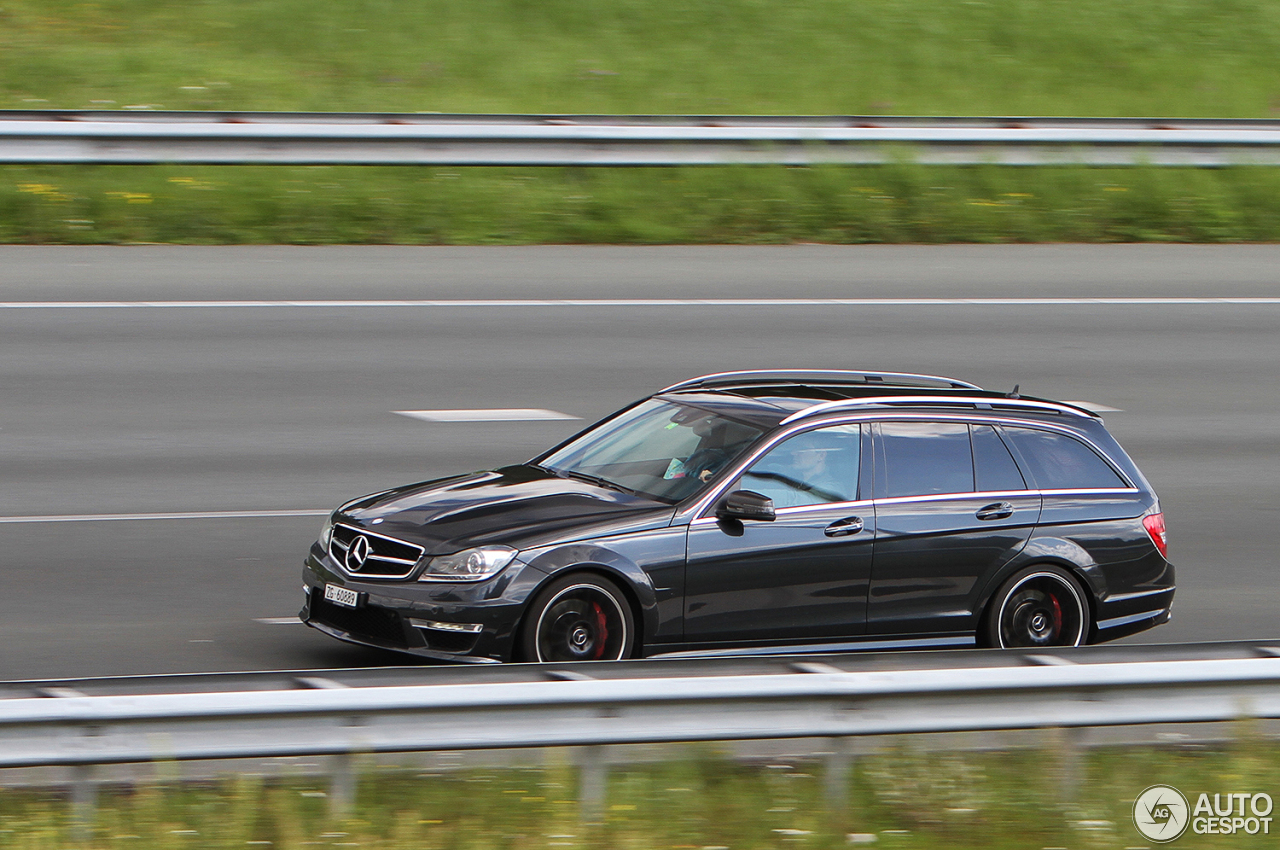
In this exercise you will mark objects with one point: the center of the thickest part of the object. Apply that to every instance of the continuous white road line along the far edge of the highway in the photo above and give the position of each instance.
(655, 303)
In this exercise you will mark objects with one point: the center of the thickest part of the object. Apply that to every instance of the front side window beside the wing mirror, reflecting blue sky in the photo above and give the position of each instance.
(815, 468)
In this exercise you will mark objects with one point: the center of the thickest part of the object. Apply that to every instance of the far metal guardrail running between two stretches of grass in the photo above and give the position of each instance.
(143, 138)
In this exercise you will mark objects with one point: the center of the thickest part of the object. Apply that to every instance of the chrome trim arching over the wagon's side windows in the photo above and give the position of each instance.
(698, 509)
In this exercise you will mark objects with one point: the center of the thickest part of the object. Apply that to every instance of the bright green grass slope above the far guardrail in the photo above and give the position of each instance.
(1213, 58)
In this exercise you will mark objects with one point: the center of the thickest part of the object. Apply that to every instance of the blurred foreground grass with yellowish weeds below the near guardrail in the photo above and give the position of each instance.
(908, 799)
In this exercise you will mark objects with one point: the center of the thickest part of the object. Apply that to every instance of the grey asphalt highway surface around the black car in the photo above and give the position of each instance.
(252, 409)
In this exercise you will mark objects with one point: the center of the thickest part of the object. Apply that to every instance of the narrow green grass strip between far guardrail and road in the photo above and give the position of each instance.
(698, 205)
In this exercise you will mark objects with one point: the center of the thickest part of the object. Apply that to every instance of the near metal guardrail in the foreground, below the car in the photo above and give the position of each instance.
(816, 701)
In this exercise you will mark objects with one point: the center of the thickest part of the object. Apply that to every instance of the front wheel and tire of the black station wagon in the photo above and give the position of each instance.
(579, 618)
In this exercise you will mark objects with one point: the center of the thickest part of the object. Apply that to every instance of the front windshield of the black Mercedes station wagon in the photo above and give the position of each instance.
(657, 449)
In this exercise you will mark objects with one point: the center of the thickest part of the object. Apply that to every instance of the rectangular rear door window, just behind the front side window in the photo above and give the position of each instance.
(926, 459)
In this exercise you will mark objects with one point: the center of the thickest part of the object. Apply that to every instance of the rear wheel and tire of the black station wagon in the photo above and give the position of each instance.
(1039, 607)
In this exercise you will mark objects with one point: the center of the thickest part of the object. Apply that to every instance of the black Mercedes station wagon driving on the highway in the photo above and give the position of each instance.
(764, 513)
